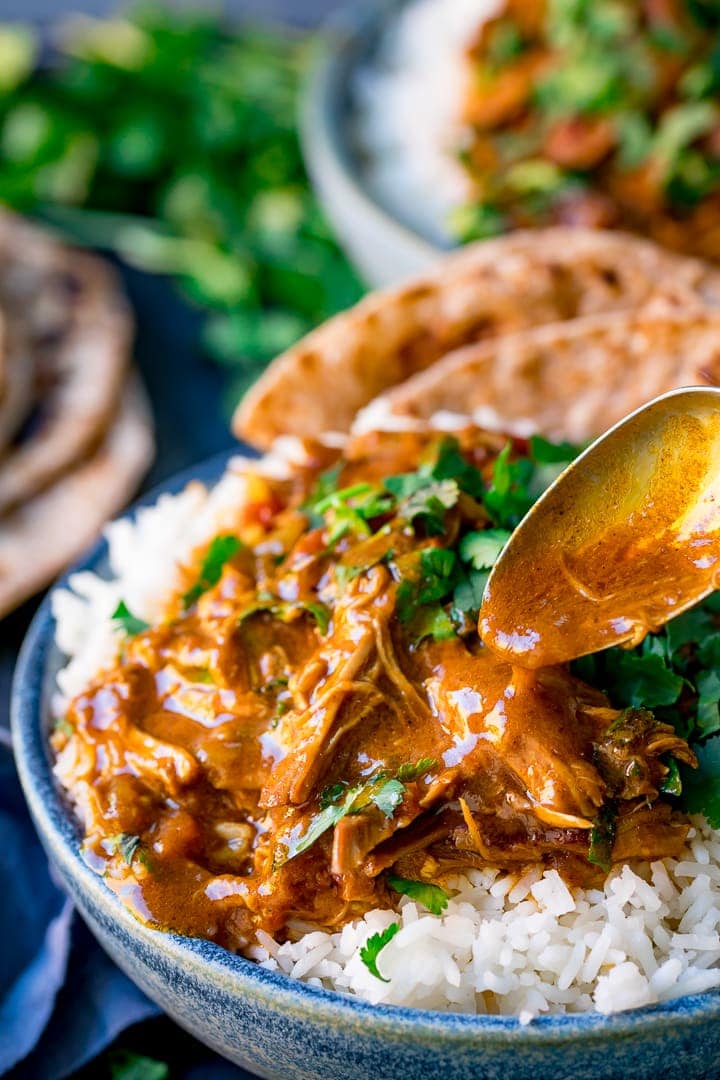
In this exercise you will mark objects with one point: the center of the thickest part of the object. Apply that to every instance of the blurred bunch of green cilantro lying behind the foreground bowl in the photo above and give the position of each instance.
(171, 140)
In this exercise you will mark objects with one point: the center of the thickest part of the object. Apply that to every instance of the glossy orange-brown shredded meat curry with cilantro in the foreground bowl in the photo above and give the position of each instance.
(316, 717)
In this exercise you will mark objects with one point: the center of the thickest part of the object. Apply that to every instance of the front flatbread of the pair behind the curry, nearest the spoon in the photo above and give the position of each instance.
(567, 382)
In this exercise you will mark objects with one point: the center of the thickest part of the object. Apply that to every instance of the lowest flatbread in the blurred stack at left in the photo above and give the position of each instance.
(43, 536)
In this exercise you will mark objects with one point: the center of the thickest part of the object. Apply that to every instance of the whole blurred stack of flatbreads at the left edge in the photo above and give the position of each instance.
(76, 435)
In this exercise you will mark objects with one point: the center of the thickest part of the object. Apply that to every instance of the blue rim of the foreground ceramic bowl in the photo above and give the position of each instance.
(35, 674)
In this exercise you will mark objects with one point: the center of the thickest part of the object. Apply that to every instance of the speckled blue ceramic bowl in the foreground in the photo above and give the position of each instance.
(284, 1030)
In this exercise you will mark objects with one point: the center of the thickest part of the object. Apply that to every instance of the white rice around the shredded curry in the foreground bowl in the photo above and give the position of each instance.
(508, 944)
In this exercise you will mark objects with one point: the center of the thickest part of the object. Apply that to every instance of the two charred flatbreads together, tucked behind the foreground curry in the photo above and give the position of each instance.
(558, 332)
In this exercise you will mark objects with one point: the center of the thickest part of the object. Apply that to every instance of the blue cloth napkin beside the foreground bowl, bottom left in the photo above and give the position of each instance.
(61, 996)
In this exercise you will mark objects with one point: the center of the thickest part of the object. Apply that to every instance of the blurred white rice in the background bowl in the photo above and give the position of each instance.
(407, 107)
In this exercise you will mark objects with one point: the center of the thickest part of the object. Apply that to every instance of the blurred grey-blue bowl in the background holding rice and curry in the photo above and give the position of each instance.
(384, 249)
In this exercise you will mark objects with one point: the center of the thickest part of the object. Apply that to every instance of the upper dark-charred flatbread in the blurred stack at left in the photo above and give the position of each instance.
(72, 330)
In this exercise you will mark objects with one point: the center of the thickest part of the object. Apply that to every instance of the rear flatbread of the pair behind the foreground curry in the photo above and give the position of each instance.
(493, 289)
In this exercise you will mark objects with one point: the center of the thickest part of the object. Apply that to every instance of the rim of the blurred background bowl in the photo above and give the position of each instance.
(325, 148)
